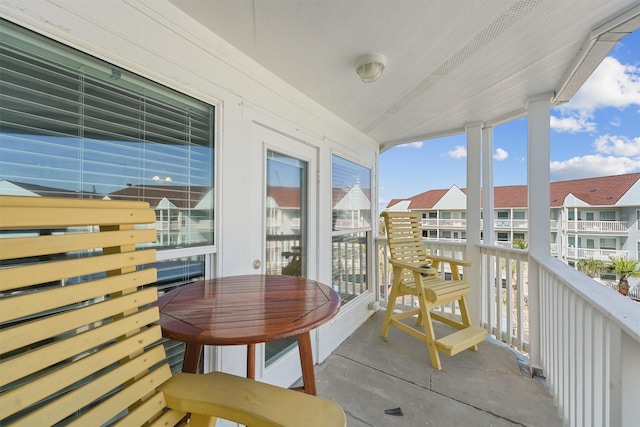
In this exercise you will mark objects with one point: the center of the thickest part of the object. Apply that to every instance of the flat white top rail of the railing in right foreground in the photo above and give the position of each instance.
(623, 311)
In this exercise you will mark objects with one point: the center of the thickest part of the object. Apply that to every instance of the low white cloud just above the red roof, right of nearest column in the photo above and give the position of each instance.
(591, 166)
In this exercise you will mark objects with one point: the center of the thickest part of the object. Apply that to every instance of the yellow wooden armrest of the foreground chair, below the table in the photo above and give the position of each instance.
(249, 402)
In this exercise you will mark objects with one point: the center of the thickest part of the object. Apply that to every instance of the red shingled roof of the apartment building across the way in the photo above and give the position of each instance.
(601, 191)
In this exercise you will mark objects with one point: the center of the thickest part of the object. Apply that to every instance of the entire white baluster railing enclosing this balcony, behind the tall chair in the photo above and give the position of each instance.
(582, 336)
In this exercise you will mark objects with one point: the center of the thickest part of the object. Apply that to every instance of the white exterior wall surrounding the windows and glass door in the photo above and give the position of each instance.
(154, 39)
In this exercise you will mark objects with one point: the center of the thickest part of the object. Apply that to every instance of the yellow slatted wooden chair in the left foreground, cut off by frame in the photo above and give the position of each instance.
(75, 337)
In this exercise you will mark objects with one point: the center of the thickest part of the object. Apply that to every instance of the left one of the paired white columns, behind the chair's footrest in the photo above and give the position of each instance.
(474, 167)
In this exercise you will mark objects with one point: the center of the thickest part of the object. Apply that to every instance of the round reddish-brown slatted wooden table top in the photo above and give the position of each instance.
(248, 309)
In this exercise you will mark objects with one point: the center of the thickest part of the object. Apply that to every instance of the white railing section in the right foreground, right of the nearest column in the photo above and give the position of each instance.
(589, 346)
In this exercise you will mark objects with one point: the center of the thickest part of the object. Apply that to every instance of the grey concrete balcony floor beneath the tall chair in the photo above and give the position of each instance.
(367, 376)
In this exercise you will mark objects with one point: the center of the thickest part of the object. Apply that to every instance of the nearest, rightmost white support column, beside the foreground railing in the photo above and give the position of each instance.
(539, 193)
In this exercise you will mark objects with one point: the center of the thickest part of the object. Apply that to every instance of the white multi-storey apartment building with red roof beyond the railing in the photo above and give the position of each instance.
(589, 218)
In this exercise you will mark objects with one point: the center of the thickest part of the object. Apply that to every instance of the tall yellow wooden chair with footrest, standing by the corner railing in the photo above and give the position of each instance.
(419, 274)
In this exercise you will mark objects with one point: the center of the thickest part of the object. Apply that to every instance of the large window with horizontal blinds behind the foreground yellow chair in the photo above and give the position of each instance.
(75, 126)
